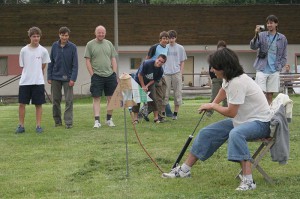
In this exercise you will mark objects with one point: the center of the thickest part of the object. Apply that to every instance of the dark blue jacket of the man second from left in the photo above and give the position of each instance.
(64, 62)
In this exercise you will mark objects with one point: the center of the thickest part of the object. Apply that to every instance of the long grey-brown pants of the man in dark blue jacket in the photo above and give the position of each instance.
(56, 91)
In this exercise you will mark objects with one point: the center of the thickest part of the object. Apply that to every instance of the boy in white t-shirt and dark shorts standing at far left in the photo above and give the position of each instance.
(33, 60)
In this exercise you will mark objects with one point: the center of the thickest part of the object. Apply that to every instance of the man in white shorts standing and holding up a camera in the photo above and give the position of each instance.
(271, 56)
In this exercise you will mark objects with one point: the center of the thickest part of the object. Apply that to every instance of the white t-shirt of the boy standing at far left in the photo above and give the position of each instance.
(31, 60)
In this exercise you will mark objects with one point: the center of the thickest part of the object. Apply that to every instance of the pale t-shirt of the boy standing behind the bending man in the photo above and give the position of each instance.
(176, 54)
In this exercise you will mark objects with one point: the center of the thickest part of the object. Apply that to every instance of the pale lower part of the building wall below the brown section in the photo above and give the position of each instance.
(81, 87)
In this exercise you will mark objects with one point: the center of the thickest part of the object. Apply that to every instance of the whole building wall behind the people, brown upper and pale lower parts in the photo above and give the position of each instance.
(199, 28)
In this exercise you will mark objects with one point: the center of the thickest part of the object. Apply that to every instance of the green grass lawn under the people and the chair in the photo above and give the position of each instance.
(83, 162)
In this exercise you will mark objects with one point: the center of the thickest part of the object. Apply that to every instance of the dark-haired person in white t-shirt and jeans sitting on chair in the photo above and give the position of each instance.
(248, 115)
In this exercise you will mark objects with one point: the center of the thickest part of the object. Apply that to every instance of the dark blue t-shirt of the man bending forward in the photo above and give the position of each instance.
(149, 72)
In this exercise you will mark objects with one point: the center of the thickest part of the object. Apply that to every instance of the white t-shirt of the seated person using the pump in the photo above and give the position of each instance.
(253, 105)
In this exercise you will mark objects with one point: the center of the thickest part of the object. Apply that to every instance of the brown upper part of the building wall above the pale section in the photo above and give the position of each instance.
(141, 24)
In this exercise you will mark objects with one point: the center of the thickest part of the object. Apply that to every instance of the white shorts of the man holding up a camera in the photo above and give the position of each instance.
(269, 83)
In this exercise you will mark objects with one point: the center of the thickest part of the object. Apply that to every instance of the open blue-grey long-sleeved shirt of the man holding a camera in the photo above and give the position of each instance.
(262, 44)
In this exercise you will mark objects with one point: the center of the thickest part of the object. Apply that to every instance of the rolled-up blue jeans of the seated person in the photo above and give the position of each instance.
(210, 138)
